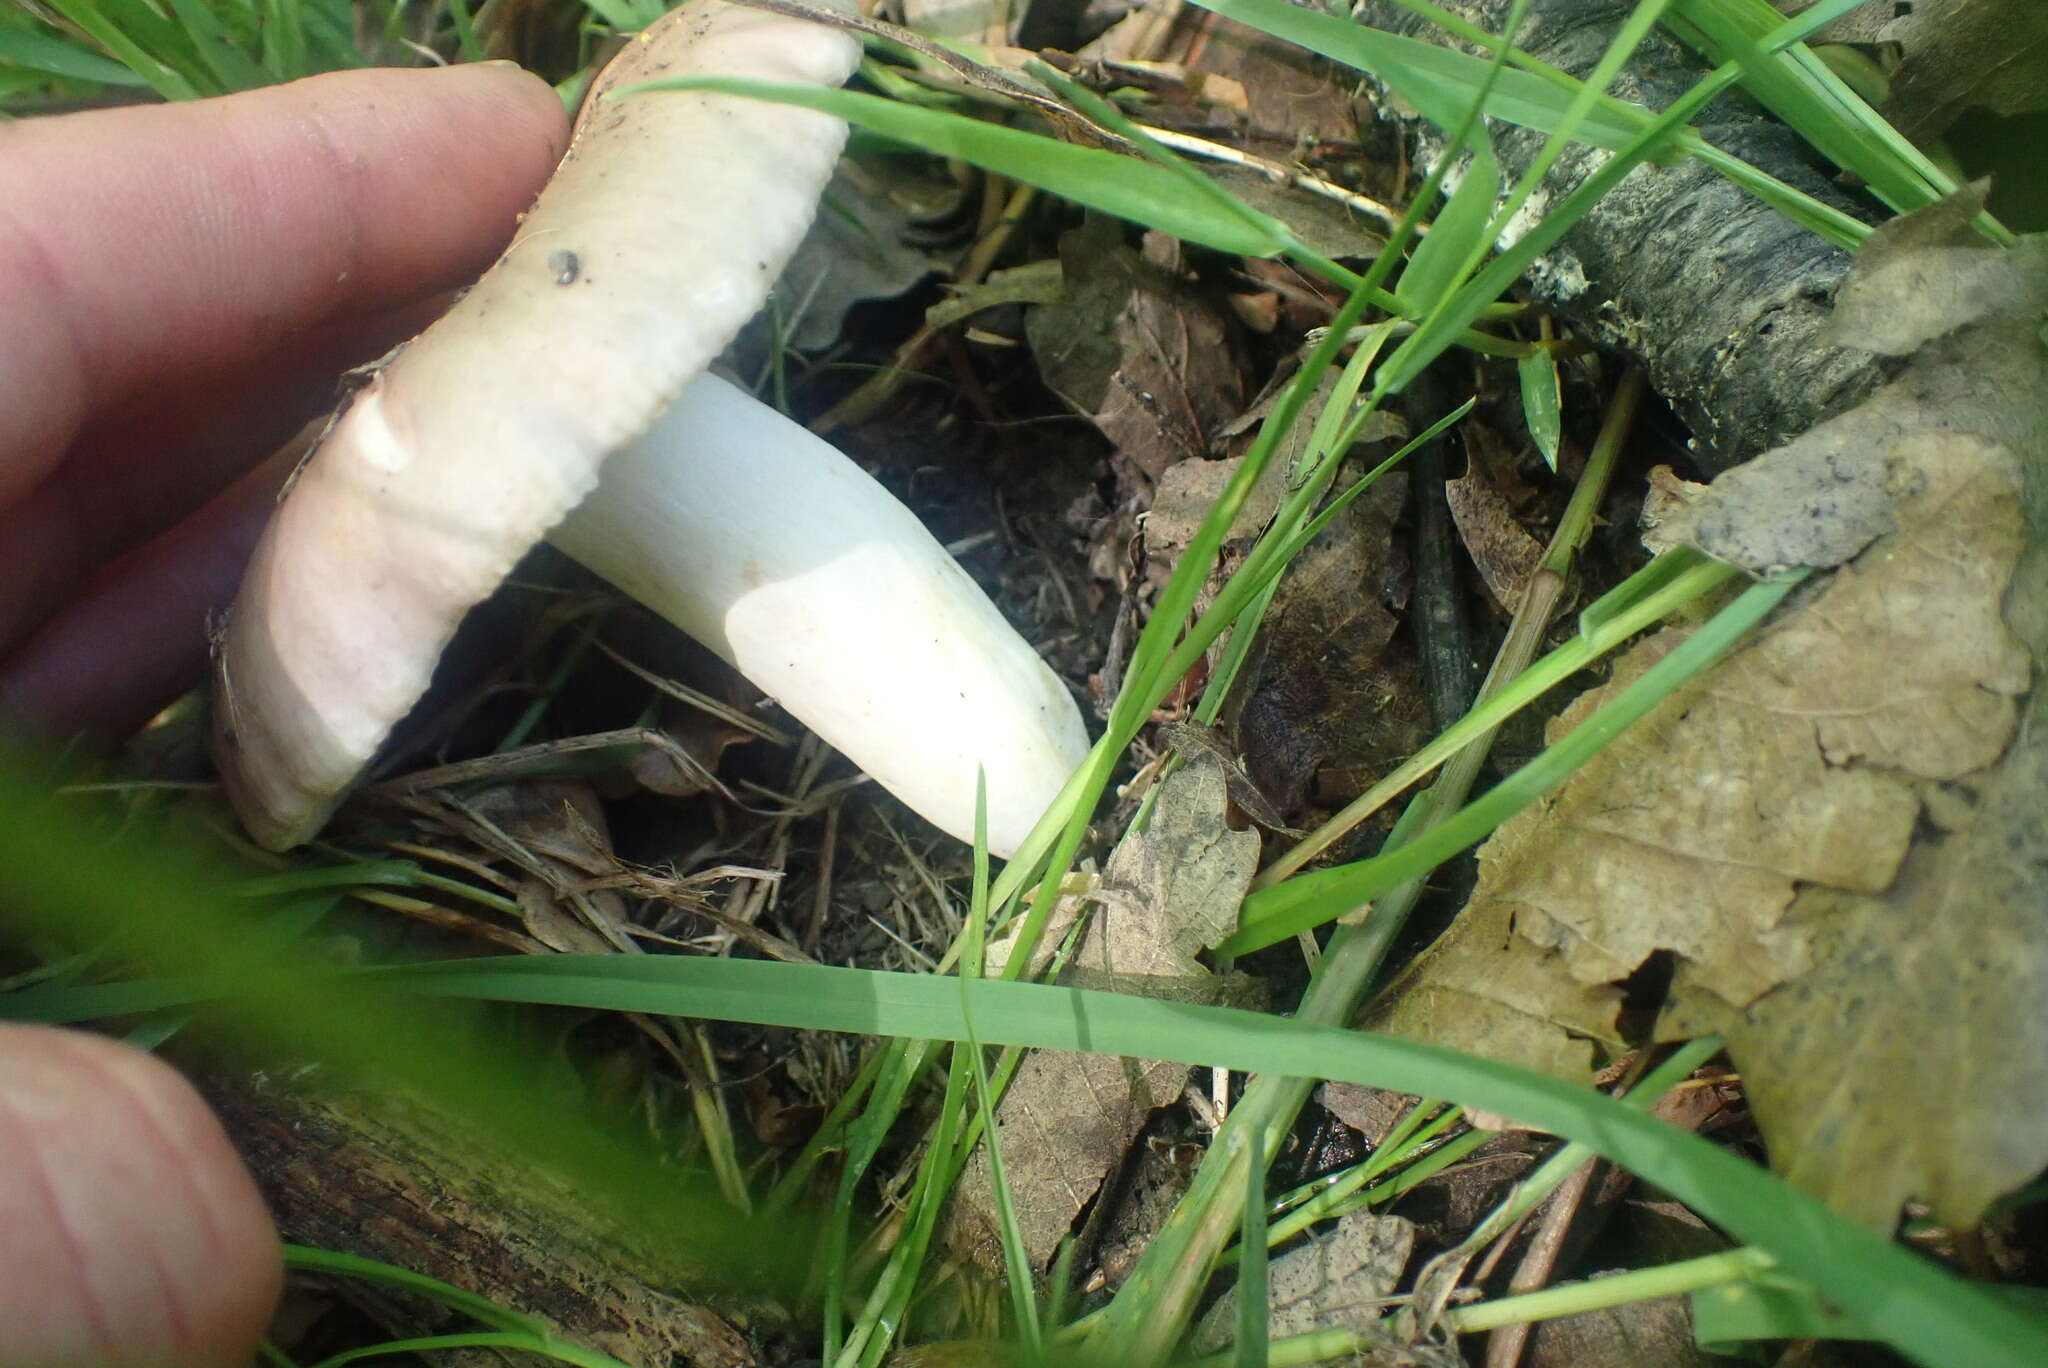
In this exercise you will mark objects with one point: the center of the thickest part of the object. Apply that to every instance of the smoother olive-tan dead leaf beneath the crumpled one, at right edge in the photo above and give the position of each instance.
(1926, 996)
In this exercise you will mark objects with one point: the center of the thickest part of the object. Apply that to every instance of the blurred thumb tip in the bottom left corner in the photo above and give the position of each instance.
(134, 1236)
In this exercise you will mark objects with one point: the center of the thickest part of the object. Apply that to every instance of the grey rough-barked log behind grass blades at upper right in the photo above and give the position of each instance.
(1717, 294)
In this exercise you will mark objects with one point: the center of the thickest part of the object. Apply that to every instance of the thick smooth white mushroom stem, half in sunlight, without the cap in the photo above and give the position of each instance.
(794, 564)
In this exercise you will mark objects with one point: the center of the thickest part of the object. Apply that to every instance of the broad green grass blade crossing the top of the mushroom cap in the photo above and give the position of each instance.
(1125, 187)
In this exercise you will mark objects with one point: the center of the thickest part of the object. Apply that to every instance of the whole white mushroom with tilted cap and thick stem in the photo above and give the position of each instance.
(658, 237)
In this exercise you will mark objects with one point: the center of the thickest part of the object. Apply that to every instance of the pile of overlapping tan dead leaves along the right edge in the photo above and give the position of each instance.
(1838, 837)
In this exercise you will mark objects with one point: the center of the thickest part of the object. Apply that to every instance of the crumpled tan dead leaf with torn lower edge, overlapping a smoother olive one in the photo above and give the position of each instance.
(1789, 767)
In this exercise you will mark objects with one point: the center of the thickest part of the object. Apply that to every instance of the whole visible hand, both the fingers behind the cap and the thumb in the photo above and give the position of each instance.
(181, 290)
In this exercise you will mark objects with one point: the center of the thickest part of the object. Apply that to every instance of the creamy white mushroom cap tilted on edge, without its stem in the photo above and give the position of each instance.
(660, 234)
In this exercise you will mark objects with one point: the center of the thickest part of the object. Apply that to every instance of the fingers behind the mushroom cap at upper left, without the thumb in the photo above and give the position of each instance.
(181, 290)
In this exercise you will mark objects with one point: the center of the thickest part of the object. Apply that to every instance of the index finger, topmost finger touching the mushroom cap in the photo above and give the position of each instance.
(151, 247)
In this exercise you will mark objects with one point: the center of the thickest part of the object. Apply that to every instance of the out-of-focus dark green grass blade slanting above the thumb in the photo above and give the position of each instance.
(171, 908)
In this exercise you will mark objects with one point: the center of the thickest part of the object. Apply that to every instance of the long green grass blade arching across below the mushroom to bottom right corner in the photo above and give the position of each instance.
(1908, 1301)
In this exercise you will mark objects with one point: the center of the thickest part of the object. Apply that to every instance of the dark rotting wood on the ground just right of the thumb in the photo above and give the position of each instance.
(402, 1183)
